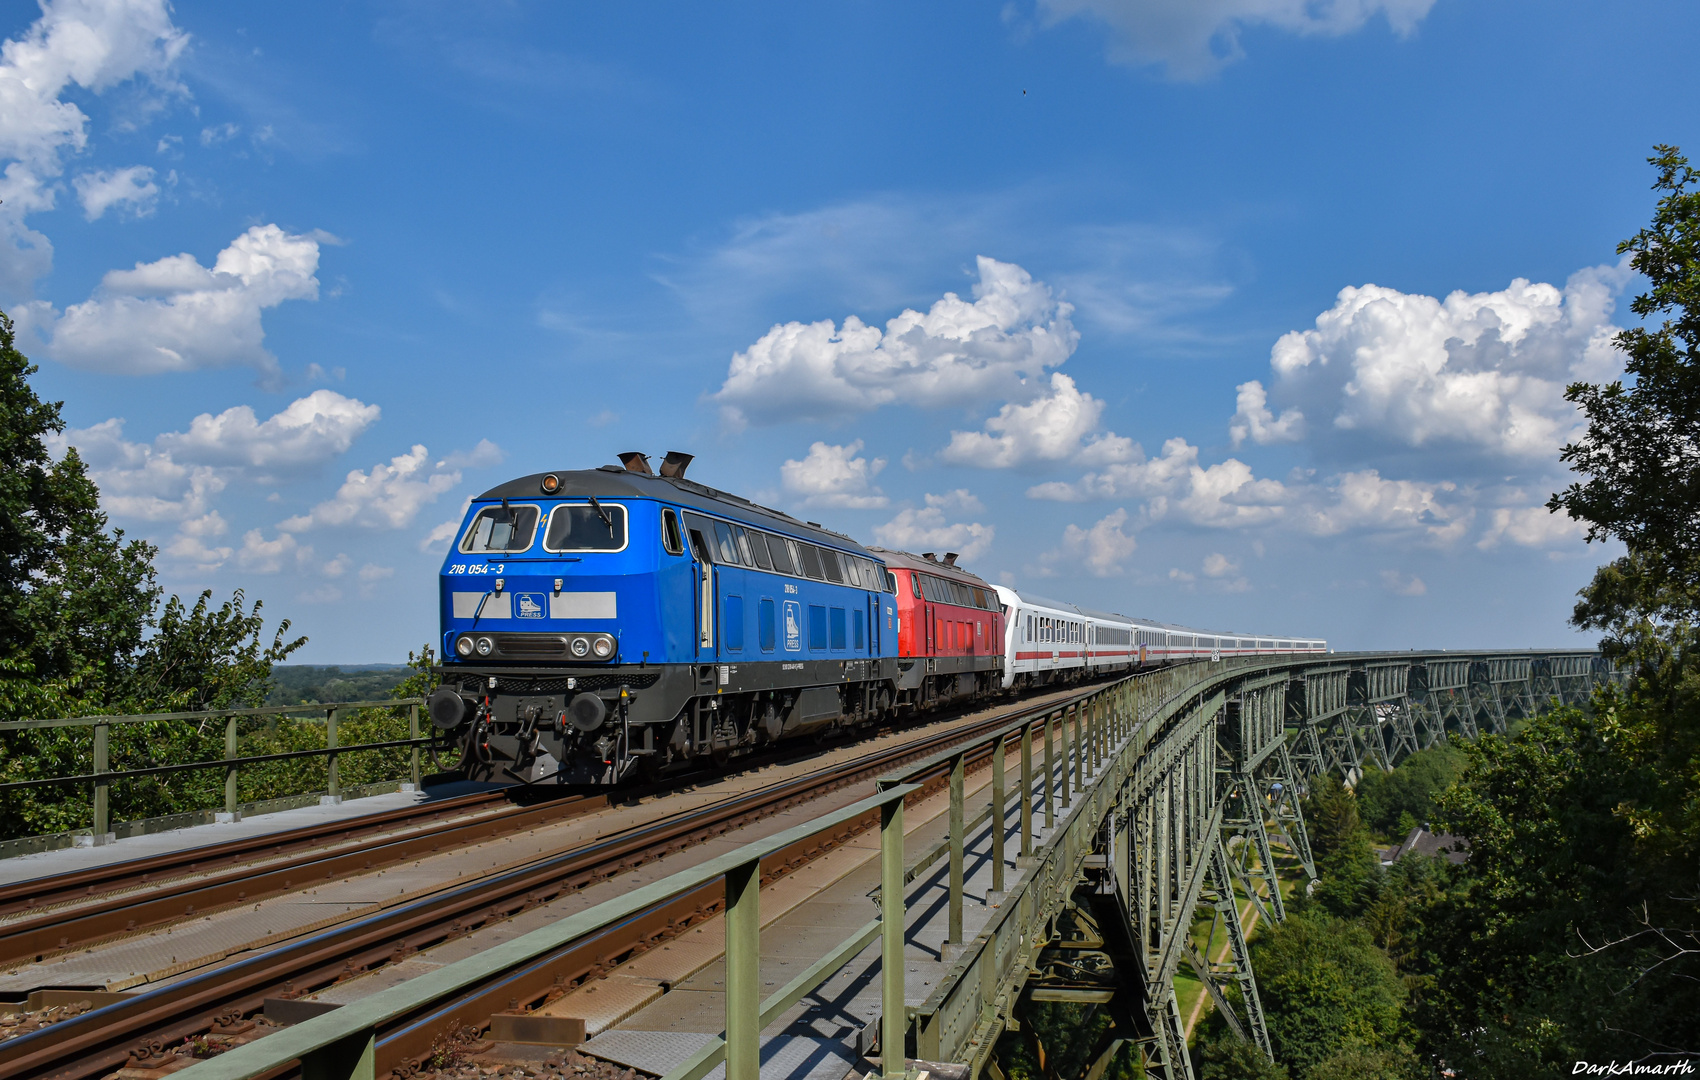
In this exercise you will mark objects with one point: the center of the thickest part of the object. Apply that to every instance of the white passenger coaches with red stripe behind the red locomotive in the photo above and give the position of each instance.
(1053, 642)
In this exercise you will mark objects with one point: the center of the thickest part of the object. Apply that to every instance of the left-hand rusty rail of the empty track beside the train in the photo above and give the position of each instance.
(98, 1042)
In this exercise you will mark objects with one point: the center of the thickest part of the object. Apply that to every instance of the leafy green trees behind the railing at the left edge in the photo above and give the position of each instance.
(82, 632)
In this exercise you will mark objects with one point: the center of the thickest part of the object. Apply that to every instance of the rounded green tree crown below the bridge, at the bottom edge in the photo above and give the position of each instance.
(1327, 987)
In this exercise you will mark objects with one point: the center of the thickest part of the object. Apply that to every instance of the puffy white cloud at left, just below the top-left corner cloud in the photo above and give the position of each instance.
(178, 315)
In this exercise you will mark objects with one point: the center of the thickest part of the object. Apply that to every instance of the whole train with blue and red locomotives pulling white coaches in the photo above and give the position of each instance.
(625, 622)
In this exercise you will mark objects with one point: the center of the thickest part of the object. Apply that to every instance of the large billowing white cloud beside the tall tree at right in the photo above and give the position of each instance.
(1478, 373)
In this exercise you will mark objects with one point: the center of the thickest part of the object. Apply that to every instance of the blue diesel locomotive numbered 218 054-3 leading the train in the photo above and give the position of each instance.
(609, 623)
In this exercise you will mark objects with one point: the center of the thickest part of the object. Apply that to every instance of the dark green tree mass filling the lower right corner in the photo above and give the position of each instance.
(1582, 841)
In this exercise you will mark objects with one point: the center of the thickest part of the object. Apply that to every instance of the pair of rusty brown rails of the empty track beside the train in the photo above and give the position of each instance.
(135, 1032)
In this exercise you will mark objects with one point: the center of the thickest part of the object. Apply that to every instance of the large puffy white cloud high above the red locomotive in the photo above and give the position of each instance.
(958, 353)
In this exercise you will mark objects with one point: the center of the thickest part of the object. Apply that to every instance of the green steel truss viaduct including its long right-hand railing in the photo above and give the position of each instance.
(1138, 807)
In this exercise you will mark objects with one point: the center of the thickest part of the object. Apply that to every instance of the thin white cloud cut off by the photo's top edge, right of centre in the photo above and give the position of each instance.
(1196, 38)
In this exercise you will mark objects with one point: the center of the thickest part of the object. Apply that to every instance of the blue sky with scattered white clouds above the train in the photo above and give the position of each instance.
(1247, 314)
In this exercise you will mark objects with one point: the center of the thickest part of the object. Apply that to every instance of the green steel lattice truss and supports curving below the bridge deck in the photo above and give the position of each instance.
(1187, 783)
